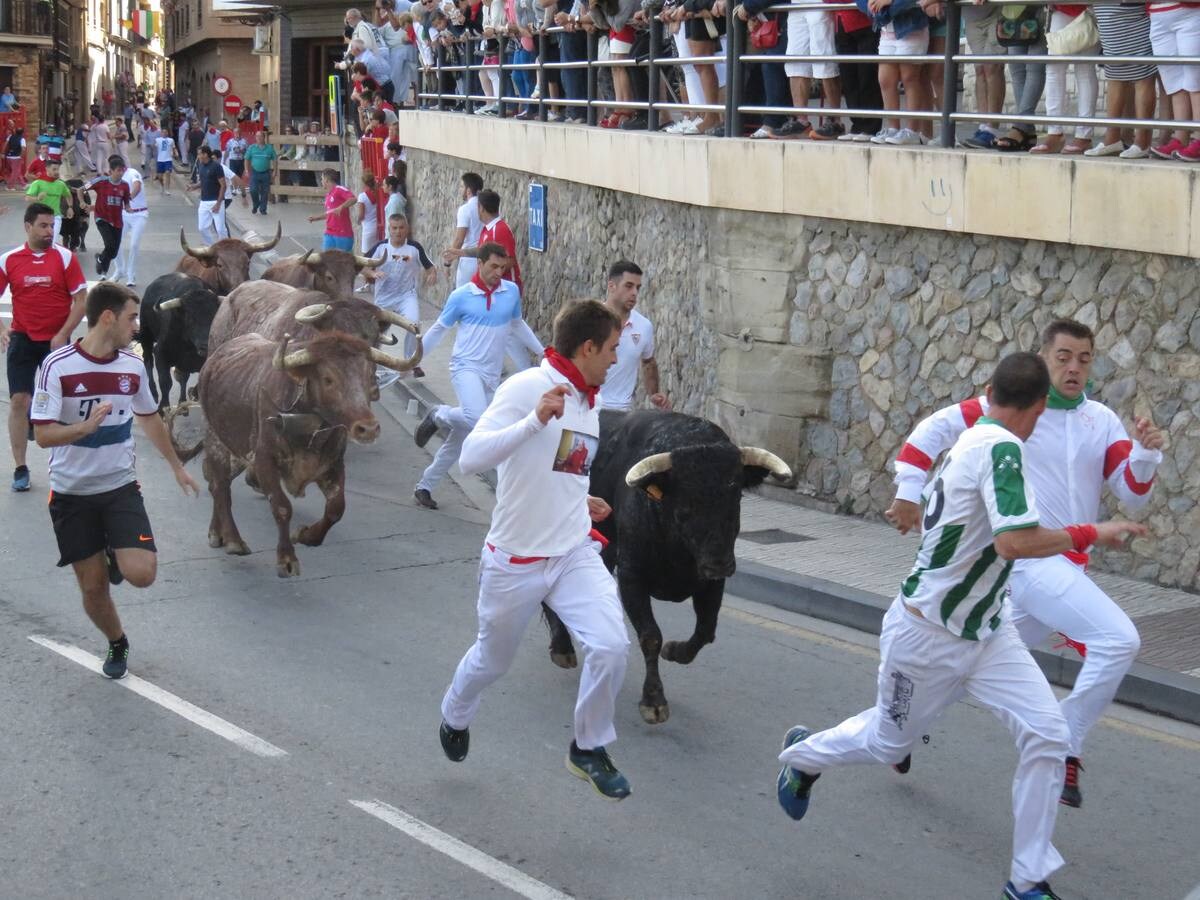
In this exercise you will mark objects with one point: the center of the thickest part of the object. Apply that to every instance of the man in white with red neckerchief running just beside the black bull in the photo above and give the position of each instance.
(542, 548)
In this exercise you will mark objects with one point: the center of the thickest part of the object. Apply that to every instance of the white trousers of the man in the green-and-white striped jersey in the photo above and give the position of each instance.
(923, 669)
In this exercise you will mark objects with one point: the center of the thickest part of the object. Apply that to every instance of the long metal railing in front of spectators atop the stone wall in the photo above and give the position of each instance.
(467, 74)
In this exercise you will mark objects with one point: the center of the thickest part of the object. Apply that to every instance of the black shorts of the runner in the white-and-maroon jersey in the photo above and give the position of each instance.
(86, 525)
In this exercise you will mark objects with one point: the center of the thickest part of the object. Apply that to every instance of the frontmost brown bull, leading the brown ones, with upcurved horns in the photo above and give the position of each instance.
(287, 415)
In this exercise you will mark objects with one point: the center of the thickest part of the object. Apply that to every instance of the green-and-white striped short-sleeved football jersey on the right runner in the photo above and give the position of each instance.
(980, 493)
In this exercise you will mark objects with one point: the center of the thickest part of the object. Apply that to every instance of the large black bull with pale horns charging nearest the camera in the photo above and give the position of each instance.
(675, 485)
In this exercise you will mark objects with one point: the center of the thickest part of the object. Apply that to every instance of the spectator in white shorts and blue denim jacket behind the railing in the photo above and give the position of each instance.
(904, 32)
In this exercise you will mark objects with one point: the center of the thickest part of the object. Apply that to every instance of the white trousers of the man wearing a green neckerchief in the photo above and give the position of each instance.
(1054, 595)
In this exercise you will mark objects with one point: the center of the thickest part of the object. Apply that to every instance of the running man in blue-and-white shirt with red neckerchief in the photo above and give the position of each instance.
(487, 310)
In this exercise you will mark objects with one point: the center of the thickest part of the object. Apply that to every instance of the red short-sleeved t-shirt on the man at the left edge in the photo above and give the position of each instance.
(43, 285)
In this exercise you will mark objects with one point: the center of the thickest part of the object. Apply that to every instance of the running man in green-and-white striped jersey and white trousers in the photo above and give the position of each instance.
(947, 632)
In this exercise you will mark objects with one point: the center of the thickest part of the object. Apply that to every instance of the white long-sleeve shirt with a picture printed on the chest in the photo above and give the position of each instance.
(542, 491)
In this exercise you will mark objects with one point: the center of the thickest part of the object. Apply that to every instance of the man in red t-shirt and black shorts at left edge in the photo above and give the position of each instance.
(49, 292)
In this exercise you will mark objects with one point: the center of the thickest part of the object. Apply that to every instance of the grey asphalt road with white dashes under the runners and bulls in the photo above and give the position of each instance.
(340, 671)
